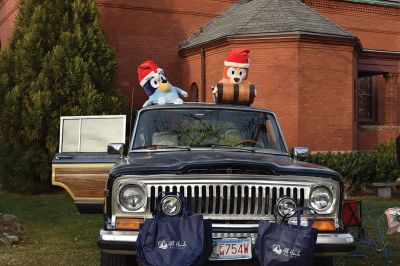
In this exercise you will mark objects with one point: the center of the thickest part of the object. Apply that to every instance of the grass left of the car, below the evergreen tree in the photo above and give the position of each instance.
(53, 231)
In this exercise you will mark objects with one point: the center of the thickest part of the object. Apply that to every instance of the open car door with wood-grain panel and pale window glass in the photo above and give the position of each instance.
(82, 164)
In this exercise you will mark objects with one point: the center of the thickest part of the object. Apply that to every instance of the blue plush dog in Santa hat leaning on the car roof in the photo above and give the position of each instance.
(155, 84)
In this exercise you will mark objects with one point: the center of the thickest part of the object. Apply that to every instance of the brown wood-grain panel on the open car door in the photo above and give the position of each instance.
(82, 182)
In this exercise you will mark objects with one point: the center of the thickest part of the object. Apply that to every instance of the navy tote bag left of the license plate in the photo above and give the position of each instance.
(174, 241)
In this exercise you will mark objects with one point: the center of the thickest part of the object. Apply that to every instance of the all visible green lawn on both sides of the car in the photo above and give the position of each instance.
(55, 234)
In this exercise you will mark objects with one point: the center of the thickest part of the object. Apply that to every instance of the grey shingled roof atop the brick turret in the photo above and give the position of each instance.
(265, 17)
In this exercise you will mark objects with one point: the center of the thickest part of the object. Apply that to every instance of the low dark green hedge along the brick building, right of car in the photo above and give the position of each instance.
(362, 168)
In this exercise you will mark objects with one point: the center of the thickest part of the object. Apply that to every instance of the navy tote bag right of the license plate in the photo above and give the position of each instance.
(284, 244)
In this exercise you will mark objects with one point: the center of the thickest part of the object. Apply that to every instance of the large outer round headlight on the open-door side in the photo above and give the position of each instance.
(133, 197)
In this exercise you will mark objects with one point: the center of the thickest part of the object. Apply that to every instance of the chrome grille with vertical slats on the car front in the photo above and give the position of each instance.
(220, 199)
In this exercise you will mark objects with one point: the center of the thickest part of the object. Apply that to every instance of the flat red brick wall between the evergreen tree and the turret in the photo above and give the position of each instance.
(141, 29)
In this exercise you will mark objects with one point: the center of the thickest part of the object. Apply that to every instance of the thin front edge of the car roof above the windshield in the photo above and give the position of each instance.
(206, 106)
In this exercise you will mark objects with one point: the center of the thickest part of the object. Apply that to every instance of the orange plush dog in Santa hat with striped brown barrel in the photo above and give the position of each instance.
(234, 88)
